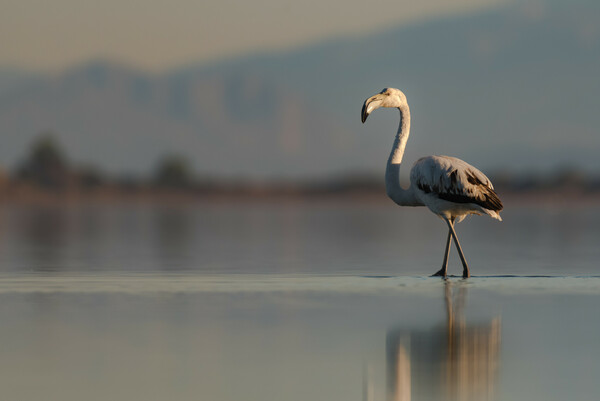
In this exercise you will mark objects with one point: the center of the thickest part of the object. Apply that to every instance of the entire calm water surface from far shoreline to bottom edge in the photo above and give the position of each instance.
(296, 301)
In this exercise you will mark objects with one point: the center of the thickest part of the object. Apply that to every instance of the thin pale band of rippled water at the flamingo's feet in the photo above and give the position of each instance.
(142, 283)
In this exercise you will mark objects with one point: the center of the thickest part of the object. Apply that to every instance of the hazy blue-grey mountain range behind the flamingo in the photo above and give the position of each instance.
(511, 89)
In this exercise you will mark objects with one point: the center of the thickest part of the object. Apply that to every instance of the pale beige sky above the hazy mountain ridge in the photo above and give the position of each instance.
(44, 35)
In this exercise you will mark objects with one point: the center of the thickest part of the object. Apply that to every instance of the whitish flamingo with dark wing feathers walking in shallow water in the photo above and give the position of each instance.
(449, 187)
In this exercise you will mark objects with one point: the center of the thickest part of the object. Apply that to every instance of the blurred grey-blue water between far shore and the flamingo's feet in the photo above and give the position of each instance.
(292, 237)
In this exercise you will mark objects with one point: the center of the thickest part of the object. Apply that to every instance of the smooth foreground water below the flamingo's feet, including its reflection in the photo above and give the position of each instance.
(267, 337)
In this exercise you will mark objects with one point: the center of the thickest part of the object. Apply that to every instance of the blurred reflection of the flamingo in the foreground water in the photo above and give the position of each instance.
(458, 361)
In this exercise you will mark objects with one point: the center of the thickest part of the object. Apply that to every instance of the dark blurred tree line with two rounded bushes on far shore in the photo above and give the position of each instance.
(47, 168)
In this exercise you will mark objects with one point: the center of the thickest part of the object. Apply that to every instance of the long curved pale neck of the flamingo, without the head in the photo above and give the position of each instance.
(403, 197)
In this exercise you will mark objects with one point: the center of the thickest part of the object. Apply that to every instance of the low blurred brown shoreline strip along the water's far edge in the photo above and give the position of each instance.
(33, 195)
